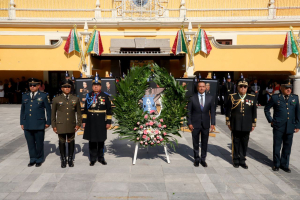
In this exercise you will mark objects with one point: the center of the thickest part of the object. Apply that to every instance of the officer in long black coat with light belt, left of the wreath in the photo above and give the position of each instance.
(96, 120)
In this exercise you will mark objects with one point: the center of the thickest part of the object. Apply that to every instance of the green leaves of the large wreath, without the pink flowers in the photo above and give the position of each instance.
(128, 103)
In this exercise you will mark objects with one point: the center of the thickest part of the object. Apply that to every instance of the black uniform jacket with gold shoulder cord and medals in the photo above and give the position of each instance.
(241, 116)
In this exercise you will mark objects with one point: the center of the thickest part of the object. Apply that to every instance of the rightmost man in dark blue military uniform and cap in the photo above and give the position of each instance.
(285, 122)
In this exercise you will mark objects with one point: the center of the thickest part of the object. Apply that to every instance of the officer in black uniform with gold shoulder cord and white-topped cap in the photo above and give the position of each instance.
(241, 120)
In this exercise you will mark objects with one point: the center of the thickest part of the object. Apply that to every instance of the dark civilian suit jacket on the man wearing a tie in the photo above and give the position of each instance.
(201, 118)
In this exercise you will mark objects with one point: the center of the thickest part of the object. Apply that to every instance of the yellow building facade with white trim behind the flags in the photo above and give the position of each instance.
(246, 36)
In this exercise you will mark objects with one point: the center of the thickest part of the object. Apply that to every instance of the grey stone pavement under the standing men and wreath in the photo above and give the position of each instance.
(151, 177)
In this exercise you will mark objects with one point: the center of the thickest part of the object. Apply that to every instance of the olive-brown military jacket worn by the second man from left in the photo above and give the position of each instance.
(64, 111)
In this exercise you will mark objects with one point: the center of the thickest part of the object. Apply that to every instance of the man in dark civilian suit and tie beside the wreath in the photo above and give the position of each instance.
(201, 111)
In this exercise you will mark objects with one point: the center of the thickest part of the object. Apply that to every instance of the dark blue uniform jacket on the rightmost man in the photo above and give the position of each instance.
(286, 115)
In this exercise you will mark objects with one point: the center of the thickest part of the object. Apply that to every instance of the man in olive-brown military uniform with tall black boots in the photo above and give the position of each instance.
(65, 108)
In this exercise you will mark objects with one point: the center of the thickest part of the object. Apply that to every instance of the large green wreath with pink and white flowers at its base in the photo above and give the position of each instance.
(142, 126)
